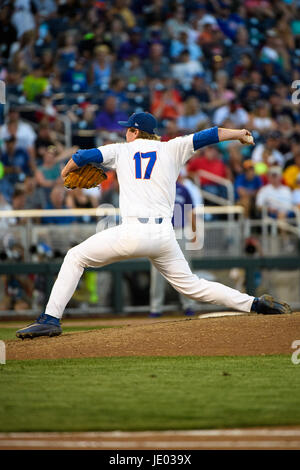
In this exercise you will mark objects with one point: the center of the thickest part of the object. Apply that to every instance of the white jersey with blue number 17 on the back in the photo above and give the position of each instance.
(147, 171)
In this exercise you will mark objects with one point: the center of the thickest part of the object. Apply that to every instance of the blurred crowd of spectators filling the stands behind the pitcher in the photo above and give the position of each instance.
(192, 64)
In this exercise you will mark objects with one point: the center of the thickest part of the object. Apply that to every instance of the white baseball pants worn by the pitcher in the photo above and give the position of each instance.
(134, 239)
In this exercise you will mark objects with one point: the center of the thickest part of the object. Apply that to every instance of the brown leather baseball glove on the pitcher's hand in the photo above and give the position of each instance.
(87, 177)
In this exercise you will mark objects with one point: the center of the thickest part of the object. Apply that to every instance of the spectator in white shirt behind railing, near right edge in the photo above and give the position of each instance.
(275, 197)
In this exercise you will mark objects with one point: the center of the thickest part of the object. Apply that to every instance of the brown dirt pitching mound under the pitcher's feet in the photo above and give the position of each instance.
(225, 336)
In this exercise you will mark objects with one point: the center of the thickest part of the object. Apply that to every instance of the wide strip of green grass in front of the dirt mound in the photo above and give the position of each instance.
(131, 393)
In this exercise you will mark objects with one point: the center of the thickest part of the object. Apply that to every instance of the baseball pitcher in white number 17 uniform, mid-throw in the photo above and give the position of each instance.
(147, 170)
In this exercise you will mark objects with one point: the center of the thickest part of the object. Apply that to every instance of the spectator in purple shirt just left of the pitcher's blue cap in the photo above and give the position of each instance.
(108, 118)
